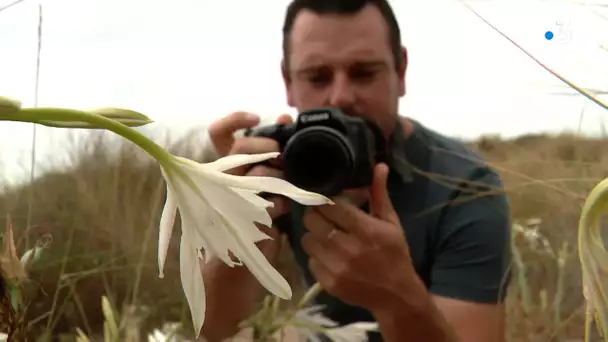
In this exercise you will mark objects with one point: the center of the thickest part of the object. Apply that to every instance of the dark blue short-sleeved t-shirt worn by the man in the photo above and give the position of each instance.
(455, 216)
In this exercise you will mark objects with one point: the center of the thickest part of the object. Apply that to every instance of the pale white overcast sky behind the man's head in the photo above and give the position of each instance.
(186, 62)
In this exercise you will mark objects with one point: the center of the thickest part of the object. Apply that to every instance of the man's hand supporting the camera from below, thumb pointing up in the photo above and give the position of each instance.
(361, 258)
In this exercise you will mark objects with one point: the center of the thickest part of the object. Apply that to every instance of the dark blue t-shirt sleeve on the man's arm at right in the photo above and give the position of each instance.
(472, 255)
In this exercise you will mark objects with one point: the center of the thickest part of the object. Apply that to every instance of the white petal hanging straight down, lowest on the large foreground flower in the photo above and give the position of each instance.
(192, 283)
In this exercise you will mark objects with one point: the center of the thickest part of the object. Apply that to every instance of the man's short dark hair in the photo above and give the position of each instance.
(344, 7)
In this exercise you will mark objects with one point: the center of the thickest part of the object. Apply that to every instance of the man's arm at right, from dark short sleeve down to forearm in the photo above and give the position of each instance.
(468, 280)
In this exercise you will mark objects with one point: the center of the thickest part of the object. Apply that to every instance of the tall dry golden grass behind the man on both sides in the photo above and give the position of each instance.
(103, 215)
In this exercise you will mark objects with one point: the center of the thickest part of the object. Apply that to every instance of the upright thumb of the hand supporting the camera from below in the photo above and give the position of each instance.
(380, 203)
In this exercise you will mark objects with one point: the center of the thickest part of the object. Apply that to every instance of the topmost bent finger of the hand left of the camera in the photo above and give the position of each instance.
(222, 131)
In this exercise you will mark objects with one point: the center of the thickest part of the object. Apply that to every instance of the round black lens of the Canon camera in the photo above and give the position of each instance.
(318, 159)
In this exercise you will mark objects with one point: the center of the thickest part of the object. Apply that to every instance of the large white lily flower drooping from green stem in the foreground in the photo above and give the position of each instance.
(218, 212)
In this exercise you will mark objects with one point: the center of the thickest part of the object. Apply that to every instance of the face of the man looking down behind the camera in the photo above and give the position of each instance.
(345, 61)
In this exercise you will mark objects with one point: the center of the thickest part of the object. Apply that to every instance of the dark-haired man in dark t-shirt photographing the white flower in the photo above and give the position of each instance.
(423, 251)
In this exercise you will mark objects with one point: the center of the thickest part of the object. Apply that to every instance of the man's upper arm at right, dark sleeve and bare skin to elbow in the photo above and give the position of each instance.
(470, 274)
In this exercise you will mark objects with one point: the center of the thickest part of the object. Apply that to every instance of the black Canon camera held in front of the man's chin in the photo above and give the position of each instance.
(326, 151)
